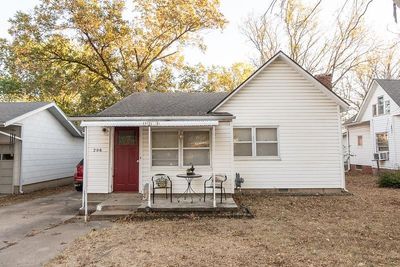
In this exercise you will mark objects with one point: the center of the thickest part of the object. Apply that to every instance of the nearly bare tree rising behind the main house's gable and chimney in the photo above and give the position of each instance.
(342, 49)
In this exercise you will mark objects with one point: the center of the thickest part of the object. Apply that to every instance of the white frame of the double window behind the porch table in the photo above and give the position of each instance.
(181, 148)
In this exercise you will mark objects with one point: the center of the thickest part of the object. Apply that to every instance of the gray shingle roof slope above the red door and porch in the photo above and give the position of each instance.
(164, 104)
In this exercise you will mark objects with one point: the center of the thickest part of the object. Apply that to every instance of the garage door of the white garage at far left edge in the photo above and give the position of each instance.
(6, 168)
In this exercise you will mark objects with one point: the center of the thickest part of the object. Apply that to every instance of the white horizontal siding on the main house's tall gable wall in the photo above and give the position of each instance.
(310, 136)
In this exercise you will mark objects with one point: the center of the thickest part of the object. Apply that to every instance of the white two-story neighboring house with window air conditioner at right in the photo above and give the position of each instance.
(374, 134)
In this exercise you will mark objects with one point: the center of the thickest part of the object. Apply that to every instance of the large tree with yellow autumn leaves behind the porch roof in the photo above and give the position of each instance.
(97, 51)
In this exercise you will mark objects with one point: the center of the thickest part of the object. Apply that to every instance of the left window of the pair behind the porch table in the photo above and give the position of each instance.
(165, 148)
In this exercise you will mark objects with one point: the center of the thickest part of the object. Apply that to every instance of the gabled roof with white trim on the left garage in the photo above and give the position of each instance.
(14, 112)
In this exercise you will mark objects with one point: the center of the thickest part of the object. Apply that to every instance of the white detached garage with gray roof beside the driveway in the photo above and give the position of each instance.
(39, 146)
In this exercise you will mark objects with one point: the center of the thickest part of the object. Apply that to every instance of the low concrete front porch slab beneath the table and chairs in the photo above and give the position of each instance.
(132, 205)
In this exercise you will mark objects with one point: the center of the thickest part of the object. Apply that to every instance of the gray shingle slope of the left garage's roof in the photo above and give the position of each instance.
(11, 110)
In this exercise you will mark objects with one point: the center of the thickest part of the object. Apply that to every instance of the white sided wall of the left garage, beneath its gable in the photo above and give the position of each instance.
(49, 151)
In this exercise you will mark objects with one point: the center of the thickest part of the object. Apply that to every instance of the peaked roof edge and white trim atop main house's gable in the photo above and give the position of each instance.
(343, 104)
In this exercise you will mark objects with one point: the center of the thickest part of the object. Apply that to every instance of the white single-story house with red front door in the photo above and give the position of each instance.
(280, 129)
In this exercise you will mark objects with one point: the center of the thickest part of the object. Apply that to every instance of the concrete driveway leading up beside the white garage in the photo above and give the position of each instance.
(33, 232)
